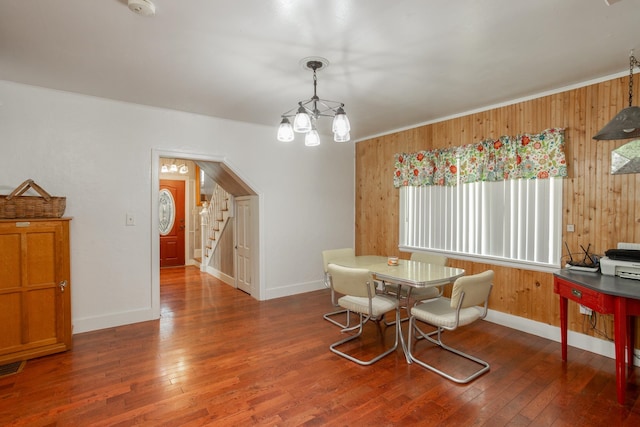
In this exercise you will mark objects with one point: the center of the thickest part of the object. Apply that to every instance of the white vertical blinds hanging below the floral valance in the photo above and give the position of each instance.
(508, 222)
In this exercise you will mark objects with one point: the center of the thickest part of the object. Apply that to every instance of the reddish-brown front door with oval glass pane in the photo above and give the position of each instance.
(171, 223)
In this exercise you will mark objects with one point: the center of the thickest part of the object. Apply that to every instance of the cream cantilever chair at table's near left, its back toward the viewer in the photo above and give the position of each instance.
(359, 296)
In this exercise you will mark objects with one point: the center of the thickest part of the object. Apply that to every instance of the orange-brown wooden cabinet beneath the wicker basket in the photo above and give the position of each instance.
(35, 288)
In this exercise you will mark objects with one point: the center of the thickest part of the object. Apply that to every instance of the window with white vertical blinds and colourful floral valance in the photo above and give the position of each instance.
(496, 201)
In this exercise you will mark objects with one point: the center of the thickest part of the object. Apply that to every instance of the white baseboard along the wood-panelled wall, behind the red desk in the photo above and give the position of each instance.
(574, 339)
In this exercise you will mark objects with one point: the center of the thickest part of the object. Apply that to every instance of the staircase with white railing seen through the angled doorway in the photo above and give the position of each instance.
(214, 217)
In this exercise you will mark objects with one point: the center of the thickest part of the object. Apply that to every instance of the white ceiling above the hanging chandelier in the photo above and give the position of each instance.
(394, 63)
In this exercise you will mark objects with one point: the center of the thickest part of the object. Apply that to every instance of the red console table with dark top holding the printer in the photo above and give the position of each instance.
(606, 295)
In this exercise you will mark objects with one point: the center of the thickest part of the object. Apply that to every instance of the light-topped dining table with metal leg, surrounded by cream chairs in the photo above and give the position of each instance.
(416, 274)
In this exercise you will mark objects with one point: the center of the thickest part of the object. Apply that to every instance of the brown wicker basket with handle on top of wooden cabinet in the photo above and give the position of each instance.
(44, 206)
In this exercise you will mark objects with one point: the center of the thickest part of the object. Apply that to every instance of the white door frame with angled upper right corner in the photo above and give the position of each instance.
(259, 282)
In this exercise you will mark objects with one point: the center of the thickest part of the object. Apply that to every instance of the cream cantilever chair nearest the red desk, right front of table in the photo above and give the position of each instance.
(468, 303)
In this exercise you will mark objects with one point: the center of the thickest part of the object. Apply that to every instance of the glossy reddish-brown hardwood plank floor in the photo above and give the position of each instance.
(219, 357)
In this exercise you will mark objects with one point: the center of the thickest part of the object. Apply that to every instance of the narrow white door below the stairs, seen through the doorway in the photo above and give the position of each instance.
(244, 244)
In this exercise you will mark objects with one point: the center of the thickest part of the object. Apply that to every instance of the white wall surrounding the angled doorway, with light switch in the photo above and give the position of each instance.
(98, 153)
